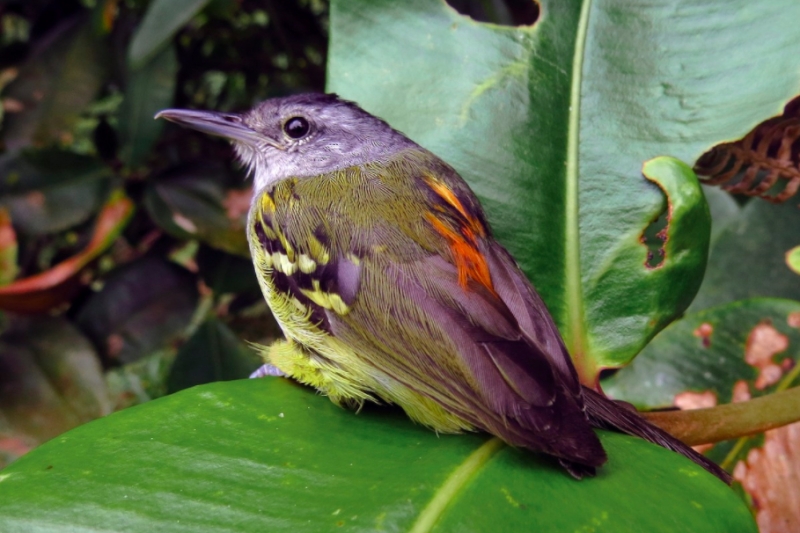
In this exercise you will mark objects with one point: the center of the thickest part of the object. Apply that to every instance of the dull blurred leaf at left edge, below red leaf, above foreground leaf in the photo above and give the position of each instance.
(50, 381)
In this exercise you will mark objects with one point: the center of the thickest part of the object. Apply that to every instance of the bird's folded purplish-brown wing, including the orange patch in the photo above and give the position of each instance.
(459, 322)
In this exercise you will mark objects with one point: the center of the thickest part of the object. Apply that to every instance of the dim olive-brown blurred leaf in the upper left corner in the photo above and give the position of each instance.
(61, 77)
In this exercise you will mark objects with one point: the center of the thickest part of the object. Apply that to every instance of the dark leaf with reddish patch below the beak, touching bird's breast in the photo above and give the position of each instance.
(189, 203)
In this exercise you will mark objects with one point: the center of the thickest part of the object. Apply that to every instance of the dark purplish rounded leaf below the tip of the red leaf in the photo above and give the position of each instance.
(142, 306)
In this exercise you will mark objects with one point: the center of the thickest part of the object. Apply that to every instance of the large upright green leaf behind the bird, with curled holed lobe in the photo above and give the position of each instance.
(551, 125)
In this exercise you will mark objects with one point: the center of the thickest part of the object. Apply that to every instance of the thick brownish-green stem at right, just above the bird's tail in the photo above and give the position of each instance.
(732, 420)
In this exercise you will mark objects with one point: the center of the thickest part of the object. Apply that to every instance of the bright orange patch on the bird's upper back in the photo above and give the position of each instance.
(469, 261)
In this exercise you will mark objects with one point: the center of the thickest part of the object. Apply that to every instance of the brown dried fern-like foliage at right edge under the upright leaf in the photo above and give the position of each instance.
(765, 162)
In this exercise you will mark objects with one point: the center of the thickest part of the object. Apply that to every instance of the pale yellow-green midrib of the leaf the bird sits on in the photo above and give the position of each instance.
(460, 477)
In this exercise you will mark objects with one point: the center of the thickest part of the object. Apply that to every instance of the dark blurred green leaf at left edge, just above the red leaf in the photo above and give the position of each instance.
(51, 190)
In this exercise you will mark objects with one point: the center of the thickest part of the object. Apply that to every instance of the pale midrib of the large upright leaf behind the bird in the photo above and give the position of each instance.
(575, 334)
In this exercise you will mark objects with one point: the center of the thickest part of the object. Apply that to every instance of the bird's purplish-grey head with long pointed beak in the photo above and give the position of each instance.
(298, 136)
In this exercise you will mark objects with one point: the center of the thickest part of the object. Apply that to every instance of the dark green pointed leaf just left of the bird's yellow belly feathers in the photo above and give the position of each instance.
(213, 353)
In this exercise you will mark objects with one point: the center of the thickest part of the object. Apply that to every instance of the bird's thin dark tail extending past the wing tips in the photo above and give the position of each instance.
(605, 413)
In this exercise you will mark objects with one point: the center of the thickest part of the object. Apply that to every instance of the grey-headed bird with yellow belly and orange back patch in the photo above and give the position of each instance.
(381, 269)
